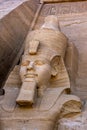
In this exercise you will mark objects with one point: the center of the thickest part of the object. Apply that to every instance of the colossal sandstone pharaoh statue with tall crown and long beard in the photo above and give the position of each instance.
(44, 95)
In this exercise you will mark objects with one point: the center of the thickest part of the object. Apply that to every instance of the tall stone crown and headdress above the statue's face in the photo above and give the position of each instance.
(48, 42)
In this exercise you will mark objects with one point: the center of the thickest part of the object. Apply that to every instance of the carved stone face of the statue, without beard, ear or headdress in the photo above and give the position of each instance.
(39, 69)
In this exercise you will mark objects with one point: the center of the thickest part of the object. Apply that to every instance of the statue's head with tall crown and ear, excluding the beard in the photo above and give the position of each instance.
(44, 50)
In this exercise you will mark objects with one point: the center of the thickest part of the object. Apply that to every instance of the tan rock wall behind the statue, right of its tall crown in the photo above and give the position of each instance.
(72, 17)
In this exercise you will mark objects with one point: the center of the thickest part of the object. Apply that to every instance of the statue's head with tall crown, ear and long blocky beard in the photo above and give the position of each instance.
(42, 59)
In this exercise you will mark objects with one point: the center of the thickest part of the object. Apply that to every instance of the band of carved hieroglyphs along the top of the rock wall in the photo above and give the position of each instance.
(64, 8)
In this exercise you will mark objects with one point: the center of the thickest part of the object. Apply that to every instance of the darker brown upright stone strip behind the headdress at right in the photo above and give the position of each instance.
(71, 61)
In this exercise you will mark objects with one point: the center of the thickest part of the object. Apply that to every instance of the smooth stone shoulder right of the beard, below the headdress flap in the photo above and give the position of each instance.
(51, 96)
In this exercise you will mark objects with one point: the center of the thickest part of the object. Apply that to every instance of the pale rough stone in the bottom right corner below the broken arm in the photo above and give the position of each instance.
(77, 123)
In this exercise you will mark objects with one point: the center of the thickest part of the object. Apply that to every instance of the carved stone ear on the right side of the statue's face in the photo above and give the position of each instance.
(55, 61)
